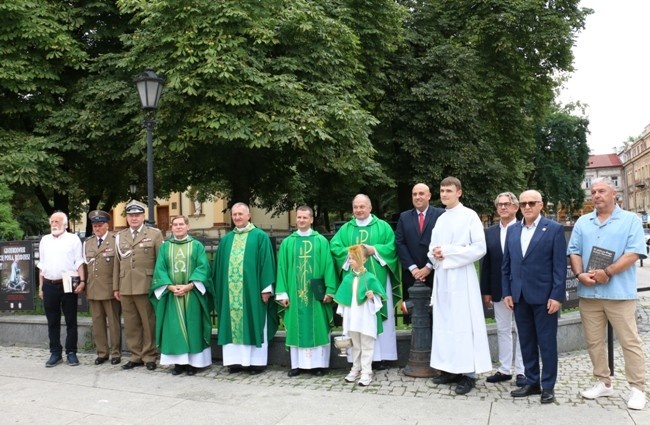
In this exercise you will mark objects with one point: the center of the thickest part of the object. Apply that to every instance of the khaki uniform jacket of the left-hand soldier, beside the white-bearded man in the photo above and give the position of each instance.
(99, 265)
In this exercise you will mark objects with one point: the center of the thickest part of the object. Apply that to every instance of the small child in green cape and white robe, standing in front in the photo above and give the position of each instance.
(360, 298)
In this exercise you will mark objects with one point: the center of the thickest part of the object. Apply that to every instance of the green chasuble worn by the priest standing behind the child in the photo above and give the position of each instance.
(380, 235)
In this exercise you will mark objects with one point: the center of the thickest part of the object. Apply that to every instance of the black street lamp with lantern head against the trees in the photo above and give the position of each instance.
(149, 87)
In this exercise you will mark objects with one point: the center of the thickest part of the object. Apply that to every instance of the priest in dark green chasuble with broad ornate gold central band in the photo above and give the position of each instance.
(243, 277)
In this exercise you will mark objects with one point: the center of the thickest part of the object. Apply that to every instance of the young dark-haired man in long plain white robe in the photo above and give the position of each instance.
(459, 341)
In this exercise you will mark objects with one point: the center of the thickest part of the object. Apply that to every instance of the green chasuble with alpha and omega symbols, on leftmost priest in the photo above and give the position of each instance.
(182, 323)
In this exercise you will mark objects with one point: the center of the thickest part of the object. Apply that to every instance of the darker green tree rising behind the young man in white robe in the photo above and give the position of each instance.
(468, 88)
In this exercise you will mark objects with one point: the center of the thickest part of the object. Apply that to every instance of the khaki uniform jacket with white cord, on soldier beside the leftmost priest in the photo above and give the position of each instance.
(135, 260)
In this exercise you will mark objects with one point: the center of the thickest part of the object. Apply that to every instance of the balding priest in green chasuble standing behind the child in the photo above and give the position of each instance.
(379, 239)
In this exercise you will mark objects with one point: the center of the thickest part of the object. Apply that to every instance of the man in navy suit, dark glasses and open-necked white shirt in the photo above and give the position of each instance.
(534, 286)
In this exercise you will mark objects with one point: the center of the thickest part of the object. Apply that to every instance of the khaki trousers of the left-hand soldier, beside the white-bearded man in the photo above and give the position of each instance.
(106, 313)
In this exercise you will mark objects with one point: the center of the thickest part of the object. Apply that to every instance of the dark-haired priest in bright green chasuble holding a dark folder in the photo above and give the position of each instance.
(305, 287)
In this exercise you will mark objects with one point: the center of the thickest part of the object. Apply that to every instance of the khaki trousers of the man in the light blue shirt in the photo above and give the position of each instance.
(622, 315)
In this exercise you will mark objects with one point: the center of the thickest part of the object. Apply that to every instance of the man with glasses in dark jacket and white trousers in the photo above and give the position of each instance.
(506, 204)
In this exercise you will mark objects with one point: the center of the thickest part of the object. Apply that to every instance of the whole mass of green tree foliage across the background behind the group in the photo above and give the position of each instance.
(283, 101)
